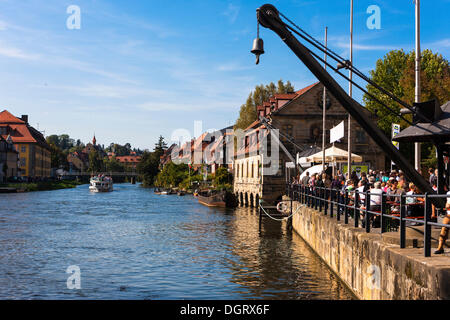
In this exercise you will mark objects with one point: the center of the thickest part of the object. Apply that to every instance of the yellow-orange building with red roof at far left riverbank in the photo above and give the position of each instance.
(34, 151)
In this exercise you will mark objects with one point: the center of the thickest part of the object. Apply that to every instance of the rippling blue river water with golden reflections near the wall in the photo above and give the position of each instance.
(133, 244)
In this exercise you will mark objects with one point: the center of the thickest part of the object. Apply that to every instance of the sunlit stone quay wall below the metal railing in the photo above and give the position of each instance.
(370, 267)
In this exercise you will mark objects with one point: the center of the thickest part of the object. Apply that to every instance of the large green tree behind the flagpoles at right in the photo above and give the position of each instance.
(396, 73)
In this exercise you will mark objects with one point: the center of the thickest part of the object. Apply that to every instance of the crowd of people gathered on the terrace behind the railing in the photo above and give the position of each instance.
(394, 184)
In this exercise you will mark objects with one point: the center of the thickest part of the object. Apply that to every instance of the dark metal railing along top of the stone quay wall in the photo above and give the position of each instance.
(391, 212)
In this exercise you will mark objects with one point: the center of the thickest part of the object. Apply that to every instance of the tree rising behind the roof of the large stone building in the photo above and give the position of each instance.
(248, 113)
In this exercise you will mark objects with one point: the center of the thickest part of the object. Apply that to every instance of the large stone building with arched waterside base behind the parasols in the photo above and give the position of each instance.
(298, 117)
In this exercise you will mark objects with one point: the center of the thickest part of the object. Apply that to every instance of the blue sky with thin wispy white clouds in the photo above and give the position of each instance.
(138, 69)
